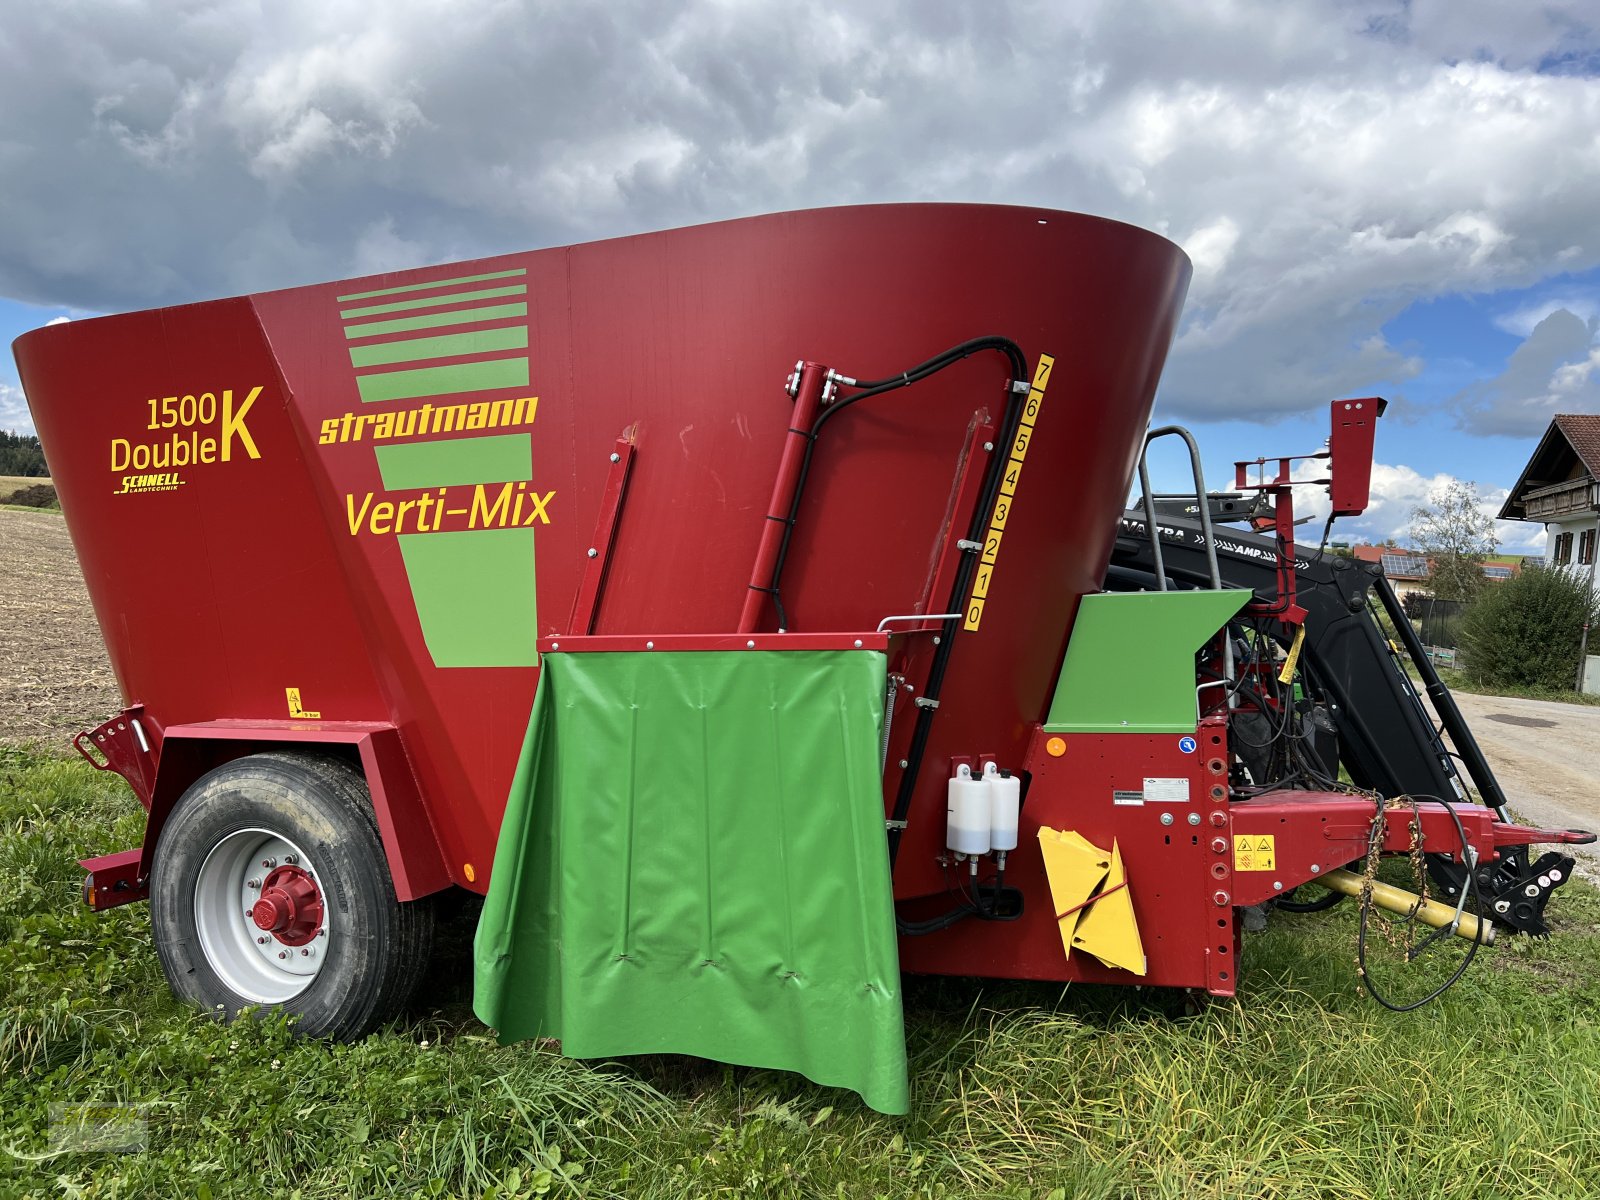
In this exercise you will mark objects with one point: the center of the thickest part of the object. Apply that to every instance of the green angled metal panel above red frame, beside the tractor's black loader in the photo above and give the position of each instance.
(1130, 666)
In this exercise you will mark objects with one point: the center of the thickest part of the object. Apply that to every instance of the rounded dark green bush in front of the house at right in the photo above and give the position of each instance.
(1526, 633)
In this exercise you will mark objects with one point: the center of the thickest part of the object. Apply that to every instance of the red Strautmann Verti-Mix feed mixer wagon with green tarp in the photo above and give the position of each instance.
(727, 606)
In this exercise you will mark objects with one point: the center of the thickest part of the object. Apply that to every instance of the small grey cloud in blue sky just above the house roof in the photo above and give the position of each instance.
(1556, 370)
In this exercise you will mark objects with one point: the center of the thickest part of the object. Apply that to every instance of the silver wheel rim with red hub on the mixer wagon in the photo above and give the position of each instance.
(260, 916)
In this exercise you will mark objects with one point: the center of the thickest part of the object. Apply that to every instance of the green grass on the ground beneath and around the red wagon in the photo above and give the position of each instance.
(1302, 1089)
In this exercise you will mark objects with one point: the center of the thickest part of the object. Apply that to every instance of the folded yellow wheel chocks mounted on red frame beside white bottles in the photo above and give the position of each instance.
(1094, 905)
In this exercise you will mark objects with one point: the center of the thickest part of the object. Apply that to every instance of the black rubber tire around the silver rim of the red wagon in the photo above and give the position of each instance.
(380, 948)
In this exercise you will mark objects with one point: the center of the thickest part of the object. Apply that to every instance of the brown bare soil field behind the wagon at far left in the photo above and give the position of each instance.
(55, 678)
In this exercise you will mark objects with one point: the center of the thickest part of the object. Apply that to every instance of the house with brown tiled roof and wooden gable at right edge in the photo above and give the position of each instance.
(1561, 489)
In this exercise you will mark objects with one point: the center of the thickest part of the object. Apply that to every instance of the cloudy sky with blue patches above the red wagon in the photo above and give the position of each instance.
(1380, 199)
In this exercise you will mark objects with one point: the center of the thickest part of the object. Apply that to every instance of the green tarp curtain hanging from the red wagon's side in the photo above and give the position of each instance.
(694, 862)
